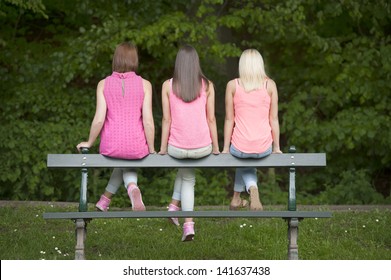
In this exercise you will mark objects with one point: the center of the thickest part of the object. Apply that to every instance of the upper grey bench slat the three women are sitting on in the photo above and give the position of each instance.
(222, 160)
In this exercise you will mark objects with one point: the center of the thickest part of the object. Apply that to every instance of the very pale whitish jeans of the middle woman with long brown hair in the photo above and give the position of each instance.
(185, 178)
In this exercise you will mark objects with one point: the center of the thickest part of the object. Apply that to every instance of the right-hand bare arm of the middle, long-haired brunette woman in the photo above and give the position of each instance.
(210, 116)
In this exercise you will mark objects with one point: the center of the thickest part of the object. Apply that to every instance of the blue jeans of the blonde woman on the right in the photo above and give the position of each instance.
(247, 176)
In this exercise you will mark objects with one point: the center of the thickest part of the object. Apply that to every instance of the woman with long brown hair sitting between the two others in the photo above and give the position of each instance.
(188, 127)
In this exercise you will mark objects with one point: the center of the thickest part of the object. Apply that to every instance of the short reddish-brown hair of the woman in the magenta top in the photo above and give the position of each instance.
(125, 58)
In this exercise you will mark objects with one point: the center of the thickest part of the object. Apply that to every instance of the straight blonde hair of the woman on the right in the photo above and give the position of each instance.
(251, 70)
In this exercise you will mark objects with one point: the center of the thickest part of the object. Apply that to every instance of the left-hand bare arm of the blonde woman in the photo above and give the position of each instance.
(229, 115)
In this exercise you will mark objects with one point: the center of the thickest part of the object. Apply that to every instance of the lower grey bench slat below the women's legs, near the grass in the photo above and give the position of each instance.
(183, 214)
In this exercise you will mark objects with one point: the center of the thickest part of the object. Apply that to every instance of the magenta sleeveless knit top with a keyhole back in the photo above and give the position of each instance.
(123, 134)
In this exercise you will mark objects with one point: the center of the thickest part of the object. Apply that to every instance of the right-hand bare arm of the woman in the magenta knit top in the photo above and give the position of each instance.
(149, 126)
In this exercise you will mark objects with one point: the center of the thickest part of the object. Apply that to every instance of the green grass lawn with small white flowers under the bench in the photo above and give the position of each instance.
(348, 235)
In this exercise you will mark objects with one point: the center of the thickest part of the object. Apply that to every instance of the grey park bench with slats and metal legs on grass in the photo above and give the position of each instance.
(290, 160)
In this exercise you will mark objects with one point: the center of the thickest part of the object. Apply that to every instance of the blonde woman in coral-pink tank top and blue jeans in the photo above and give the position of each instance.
(251, 128)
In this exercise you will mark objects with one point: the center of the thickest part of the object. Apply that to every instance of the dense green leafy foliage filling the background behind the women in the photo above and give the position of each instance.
(331, 62)
